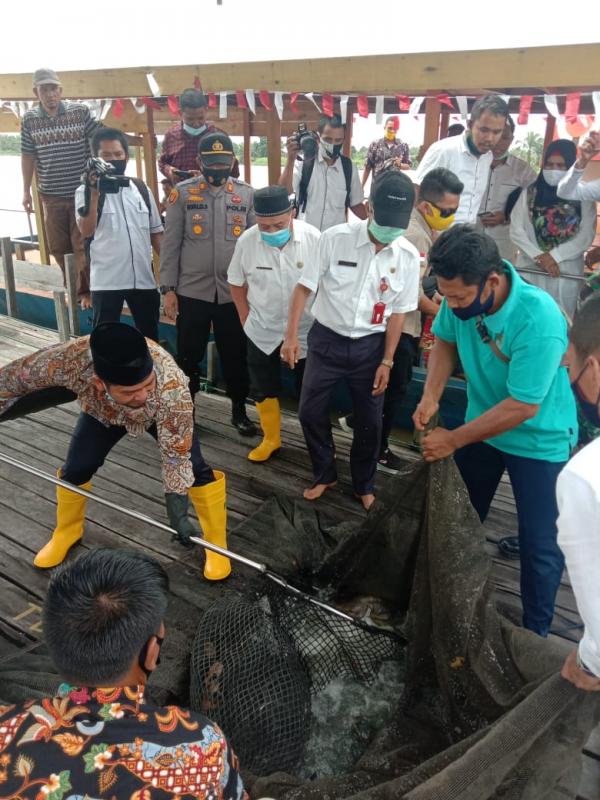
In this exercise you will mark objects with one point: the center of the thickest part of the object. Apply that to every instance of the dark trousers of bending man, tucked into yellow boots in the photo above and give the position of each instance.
(92, 442)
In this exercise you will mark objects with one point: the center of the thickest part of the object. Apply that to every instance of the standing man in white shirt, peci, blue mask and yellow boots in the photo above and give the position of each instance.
(268, 260)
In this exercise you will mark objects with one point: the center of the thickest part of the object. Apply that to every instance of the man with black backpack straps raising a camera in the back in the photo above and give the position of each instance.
(326, 184)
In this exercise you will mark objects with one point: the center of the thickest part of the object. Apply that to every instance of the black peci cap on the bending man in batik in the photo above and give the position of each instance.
(120, 354)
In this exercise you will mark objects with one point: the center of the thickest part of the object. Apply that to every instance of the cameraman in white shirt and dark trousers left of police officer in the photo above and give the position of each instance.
(120, 228)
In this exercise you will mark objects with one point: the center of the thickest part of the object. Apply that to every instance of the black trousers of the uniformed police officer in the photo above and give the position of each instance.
(193, 329)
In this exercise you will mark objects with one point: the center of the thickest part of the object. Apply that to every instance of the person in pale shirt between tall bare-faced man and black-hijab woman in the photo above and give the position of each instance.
(507, 173)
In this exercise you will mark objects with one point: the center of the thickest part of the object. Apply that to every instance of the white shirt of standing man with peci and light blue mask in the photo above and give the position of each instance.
(271, 274)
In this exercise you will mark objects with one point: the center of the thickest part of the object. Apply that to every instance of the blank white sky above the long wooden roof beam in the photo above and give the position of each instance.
(70, 34)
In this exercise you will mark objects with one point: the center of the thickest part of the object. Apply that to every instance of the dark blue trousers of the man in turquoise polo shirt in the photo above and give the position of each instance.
(534, 487)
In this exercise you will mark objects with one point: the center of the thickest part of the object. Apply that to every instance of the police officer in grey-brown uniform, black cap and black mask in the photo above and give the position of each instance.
(206, 215)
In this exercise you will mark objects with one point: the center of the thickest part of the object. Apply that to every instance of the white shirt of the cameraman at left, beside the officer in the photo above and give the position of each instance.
(121, 250)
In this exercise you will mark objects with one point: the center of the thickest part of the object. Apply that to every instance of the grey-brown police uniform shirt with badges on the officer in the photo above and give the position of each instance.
(201, 231)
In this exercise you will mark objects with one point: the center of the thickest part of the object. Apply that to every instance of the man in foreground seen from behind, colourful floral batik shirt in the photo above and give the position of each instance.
(100, 737)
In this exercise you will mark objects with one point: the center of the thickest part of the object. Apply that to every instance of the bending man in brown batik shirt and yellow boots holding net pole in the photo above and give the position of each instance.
(124, 384)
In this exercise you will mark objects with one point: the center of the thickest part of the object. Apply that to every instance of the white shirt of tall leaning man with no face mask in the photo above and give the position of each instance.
(453, 153)
